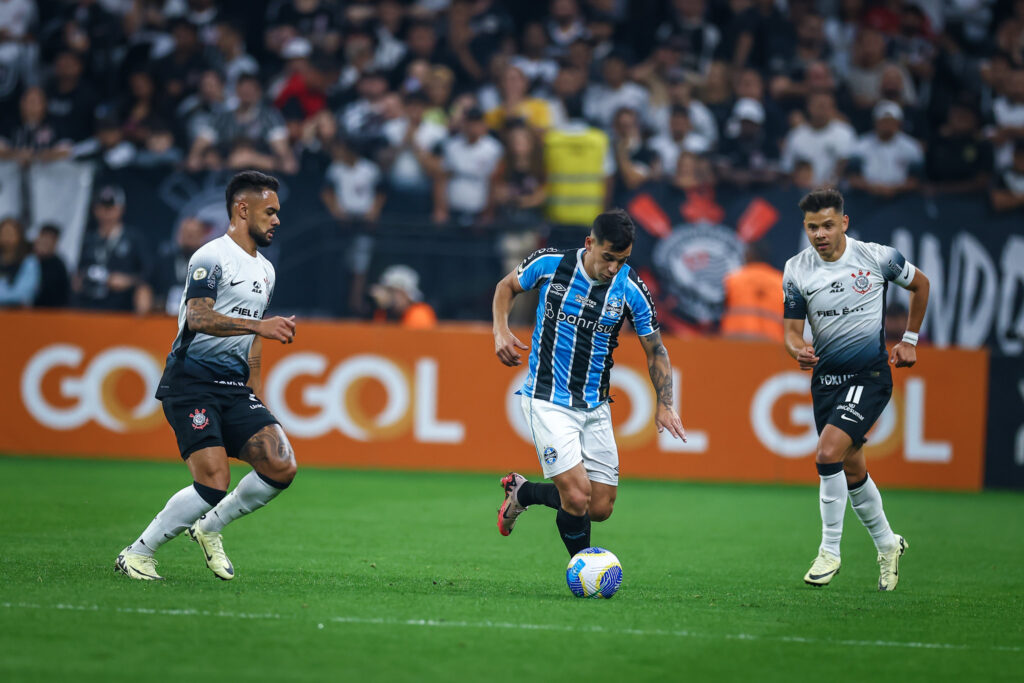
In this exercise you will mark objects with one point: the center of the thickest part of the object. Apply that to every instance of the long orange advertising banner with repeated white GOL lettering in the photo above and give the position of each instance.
(379, 397)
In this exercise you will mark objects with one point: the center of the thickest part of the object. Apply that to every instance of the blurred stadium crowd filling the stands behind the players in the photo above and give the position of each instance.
(470, 112)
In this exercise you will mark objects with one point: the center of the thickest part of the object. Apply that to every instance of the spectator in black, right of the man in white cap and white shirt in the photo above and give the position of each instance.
(959, 158)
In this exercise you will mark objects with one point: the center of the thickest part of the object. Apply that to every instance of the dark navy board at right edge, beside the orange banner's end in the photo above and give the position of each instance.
(1005, 453)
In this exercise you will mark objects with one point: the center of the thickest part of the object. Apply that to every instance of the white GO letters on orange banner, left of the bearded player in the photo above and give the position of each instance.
(93, 390)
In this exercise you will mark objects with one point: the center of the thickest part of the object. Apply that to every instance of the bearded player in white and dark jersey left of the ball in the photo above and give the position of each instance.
(211, 386)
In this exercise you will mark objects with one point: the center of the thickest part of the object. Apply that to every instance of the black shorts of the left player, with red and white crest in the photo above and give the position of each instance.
(207, 419)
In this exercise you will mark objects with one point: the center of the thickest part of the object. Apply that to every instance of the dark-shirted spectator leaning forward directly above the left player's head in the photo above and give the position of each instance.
(252, 122)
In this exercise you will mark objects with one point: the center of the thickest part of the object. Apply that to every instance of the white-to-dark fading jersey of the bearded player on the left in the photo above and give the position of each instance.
(241, 287)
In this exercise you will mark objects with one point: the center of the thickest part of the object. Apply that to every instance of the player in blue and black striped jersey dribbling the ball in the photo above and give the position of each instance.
(586, 296)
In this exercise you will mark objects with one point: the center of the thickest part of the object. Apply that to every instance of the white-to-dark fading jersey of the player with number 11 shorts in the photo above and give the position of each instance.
(845, 302)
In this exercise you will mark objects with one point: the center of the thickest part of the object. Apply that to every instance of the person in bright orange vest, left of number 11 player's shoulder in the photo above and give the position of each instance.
(754, 298)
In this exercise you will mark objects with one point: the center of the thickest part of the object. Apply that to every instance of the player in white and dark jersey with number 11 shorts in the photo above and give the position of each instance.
(839, 284)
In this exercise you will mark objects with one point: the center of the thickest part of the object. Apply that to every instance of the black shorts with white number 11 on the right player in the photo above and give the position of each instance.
(852, 403)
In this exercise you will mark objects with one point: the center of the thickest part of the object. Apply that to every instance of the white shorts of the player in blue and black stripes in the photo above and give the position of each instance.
(567, 437)
